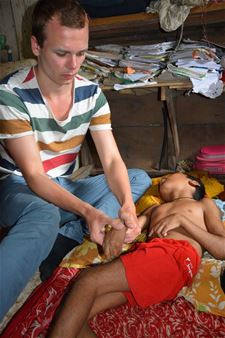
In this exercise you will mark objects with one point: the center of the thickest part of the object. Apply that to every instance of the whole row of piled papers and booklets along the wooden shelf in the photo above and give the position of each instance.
(139, 65)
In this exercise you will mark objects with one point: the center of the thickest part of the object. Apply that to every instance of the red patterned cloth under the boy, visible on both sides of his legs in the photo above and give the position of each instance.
(176, 318)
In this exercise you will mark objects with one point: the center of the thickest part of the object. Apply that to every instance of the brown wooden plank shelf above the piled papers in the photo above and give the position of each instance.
(141, 27)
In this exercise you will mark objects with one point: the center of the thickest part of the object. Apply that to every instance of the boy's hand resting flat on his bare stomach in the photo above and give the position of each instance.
(166, 224)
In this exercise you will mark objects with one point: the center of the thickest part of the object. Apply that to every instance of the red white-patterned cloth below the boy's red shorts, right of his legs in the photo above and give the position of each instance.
(174, 319)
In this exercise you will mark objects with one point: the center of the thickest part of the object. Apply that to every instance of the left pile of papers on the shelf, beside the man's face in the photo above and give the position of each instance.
(126, 64)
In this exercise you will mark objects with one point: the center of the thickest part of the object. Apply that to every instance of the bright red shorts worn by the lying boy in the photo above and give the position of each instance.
(157, 270)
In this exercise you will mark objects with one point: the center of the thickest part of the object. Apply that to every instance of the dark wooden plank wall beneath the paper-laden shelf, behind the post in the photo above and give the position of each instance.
(138, 125)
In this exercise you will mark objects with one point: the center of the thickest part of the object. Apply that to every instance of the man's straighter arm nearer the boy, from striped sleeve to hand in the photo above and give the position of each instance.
(117, 177)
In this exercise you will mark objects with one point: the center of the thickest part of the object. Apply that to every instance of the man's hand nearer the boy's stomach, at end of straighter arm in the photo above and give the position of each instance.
(130, 220)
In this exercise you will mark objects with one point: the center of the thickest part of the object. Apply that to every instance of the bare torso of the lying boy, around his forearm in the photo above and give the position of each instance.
(191, 209)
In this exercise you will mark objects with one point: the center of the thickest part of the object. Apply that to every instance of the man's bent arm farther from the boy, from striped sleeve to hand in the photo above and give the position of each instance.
(25, 153)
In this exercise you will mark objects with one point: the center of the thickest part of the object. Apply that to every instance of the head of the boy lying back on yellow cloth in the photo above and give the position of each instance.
(181, 185)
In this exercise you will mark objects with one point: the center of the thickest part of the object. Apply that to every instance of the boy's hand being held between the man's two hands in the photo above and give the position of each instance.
(113, 242)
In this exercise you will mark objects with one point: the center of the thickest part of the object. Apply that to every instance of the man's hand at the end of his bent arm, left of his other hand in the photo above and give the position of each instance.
(96, 221)
